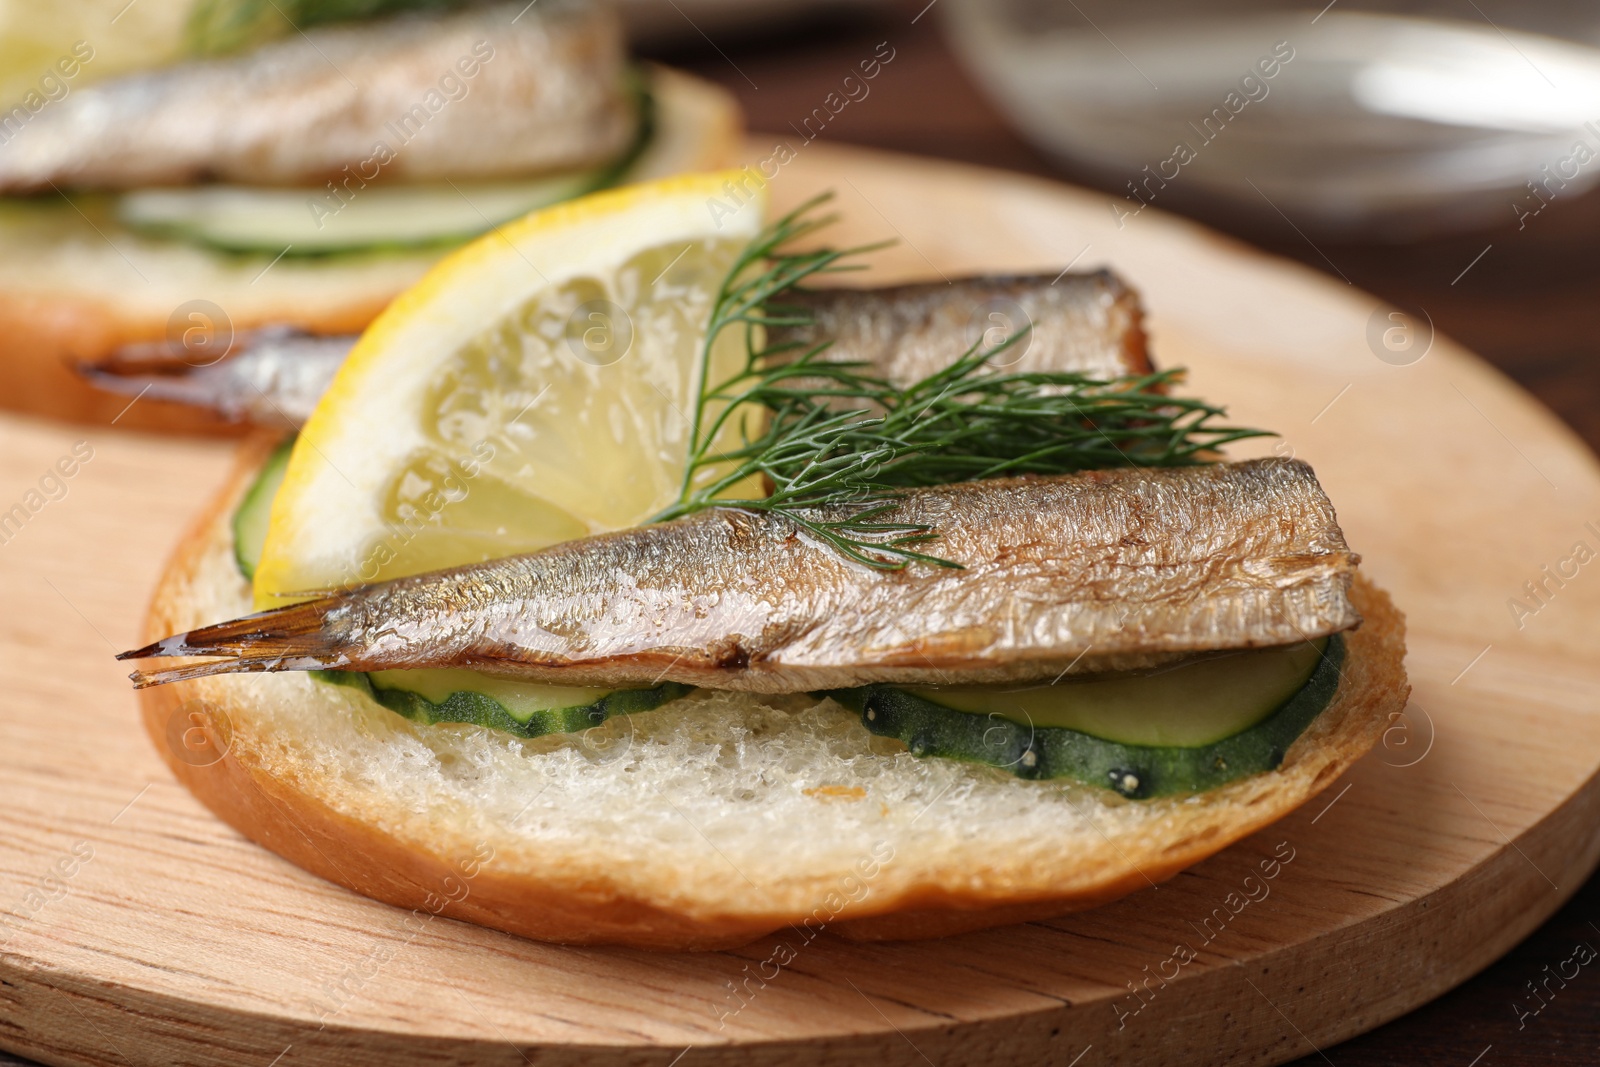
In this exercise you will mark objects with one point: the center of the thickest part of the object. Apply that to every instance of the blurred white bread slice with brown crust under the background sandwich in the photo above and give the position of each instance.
(76, 289)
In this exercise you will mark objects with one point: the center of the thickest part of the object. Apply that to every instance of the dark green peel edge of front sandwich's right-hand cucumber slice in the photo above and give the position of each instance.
(1137, 772)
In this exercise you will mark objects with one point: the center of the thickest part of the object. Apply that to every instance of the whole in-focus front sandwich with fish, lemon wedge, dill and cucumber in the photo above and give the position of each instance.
(756, 604)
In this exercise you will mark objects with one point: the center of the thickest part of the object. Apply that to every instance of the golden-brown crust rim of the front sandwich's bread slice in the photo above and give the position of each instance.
(281, 810)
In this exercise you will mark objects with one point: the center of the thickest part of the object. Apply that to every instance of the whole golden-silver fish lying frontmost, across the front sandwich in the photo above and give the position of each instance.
(1094, 572)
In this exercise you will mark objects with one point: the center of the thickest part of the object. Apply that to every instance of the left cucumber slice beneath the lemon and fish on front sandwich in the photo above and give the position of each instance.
(449, 697)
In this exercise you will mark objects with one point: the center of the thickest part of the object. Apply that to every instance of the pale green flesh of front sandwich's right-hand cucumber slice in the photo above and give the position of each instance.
(1188, 706)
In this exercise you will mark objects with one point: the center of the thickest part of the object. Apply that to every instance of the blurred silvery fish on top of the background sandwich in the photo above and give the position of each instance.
(546, 94)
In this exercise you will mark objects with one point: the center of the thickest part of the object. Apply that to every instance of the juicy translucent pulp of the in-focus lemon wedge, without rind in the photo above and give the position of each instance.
(569, 417)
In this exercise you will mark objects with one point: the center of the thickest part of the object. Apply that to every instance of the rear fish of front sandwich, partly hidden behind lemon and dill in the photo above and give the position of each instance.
(1081, 322)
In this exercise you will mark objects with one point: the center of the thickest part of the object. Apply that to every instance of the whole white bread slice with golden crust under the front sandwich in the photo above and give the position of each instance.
(702, 825)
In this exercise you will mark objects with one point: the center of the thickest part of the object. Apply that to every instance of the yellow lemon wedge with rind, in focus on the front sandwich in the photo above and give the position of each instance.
(537, 386)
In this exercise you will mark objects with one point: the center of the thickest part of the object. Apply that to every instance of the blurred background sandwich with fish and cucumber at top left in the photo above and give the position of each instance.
(209, 170)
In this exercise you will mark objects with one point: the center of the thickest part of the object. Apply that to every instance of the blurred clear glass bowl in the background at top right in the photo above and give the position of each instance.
(1375, 124)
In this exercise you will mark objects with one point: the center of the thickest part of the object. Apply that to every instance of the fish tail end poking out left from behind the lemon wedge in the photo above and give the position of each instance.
(273, 377)
